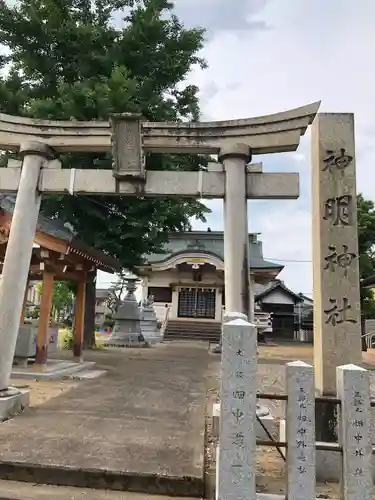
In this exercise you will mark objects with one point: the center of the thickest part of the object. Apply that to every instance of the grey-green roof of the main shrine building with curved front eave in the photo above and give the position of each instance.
(211, 243)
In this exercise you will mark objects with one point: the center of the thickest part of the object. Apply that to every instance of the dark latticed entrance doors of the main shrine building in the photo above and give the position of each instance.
(197, 303)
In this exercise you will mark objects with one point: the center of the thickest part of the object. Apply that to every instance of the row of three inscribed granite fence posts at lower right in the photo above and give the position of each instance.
(236, 454)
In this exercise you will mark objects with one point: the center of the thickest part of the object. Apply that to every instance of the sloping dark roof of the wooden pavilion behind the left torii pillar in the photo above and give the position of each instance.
(57, 229)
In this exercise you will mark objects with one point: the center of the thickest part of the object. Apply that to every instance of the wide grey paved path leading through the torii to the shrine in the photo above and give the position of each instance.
(139, 428)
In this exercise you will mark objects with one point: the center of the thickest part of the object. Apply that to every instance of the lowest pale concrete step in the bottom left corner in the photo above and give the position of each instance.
(14, 490)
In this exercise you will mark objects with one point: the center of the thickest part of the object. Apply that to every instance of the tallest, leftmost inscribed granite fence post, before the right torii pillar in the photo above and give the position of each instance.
(236, 462)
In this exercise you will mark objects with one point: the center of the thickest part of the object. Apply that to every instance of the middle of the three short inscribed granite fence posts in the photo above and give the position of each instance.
(300, 431)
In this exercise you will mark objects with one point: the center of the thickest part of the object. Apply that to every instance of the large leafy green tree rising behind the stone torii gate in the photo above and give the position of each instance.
(86, 59)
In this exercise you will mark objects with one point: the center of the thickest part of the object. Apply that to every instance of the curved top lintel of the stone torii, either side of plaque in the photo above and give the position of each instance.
(264, 134)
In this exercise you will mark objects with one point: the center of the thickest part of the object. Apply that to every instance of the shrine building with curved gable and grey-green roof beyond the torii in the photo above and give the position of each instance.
(187, 281)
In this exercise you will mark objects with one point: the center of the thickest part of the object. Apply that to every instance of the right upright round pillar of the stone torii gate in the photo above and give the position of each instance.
(235, 157)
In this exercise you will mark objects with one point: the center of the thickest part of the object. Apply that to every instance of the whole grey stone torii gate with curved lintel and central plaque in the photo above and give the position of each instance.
(129, 138)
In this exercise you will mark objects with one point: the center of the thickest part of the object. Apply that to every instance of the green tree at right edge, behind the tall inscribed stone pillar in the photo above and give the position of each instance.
(366, 244)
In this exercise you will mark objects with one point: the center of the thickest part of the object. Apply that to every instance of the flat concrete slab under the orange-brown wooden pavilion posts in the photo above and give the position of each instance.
(52, 370)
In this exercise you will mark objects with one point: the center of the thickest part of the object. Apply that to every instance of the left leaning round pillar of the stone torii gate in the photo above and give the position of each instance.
(18, 254)
